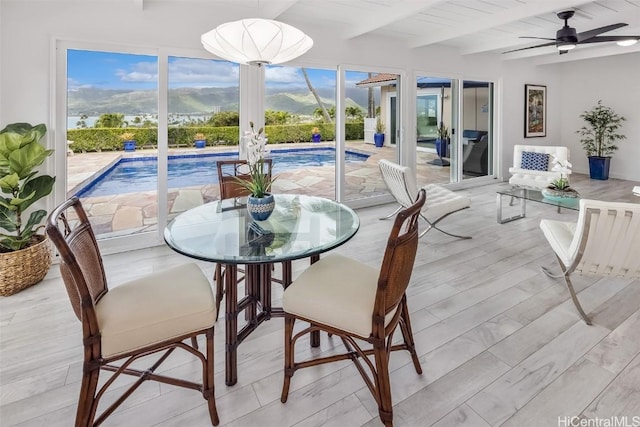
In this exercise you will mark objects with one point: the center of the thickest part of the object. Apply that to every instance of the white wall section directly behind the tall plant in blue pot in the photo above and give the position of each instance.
(614, 80)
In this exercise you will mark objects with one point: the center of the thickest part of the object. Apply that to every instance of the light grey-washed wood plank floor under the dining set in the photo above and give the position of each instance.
(499, 342)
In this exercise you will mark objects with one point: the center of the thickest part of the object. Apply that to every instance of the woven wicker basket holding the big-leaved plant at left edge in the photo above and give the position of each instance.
(24, 268)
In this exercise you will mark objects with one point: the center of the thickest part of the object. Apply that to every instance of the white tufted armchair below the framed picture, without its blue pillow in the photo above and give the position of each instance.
(532, 178)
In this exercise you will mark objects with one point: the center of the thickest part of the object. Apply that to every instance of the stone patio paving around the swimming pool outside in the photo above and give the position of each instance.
(130, 213)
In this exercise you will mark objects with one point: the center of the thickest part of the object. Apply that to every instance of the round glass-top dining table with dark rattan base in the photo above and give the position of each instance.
(223, 232)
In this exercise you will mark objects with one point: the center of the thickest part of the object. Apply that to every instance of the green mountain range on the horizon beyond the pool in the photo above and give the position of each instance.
(93, 102)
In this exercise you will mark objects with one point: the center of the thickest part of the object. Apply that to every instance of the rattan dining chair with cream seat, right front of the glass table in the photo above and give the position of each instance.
(357, 302)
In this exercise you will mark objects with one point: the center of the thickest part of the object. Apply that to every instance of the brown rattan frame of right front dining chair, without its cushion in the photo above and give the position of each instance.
(393, 281)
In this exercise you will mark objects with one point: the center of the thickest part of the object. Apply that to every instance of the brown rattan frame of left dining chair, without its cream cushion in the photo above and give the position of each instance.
(79, 253)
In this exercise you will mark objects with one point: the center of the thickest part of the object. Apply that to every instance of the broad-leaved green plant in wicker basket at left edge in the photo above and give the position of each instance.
(25, 256)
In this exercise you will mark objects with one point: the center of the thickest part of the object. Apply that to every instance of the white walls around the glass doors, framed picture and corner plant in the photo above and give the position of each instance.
(174, 27)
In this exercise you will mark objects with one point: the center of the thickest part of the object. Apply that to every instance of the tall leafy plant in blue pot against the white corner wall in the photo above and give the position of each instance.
(599, 136)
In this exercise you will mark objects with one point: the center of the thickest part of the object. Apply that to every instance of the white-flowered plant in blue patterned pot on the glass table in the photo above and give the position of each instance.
(261, 202)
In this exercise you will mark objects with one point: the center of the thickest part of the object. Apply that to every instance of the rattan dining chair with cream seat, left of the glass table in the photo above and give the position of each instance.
(150, 315)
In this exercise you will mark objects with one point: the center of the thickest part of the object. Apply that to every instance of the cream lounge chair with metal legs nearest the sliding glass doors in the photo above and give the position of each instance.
(440, 201)
